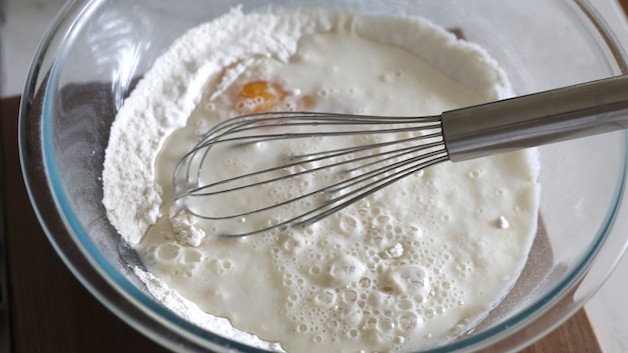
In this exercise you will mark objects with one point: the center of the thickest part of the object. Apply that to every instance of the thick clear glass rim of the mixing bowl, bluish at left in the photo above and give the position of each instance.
(110, 287)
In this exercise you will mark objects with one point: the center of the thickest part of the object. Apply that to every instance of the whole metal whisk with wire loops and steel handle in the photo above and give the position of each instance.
(372, 152)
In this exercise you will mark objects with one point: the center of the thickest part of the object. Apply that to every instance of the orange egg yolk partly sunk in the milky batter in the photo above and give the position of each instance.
(259, 97)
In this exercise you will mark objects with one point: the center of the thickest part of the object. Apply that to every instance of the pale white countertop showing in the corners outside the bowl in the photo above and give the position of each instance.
(27, 20)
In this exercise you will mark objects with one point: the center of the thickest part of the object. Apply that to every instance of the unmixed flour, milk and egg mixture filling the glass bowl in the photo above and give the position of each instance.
(408, 268)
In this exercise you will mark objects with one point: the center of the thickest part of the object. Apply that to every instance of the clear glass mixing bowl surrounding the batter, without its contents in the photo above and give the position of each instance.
(96, 50)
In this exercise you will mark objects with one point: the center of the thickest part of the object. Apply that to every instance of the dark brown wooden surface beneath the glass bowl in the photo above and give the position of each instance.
(50, 311)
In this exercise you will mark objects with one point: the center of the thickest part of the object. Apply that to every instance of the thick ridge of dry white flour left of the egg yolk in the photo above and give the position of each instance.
(169, 93)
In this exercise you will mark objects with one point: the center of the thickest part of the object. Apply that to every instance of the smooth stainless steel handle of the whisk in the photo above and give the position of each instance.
(537, 119)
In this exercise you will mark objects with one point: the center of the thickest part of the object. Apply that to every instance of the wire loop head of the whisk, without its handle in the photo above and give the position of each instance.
(264, 171)
